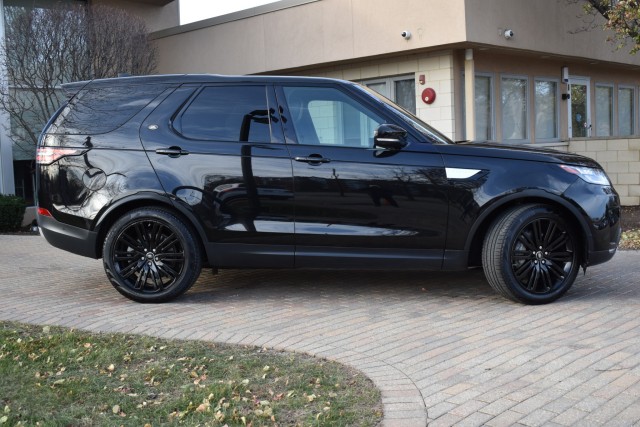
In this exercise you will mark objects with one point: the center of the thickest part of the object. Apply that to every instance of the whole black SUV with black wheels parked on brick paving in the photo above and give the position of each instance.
(161, 175)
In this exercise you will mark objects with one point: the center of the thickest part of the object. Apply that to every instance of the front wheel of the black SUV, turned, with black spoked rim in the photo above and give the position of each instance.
(530, 254)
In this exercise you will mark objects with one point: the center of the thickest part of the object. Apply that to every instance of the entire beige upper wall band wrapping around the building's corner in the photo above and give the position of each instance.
(329, 31)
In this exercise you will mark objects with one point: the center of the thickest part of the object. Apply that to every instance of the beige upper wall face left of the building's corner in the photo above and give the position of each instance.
(320, 32)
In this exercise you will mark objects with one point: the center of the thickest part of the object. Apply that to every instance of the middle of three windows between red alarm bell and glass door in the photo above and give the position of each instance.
(514, 109)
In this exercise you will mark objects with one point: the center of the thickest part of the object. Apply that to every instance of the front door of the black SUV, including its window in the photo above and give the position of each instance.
(357, 206)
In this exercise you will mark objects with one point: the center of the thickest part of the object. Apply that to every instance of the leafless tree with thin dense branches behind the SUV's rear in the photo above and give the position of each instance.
(67, 42)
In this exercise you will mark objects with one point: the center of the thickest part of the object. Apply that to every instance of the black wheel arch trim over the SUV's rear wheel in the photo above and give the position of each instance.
(145, 200)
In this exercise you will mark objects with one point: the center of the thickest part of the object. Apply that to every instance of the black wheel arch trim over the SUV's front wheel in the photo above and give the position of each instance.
(491, 213)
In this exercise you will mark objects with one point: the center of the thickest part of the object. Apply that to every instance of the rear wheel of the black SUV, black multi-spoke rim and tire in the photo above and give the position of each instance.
(150, 255)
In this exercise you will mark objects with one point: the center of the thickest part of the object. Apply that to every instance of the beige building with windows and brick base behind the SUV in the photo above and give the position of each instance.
(510, 71)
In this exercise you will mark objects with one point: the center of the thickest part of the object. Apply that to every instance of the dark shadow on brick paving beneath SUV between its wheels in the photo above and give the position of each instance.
(255, 285)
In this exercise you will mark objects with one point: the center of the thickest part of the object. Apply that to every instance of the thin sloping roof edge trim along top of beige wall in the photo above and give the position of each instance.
(229, 17)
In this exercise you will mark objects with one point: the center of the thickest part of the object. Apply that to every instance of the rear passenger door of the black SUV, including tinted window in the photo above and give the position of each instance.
(218, 152)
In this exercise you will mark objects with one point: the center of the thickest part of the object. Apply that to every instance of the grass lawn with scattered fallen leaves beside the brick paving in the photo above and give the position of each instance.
(53, 376)
